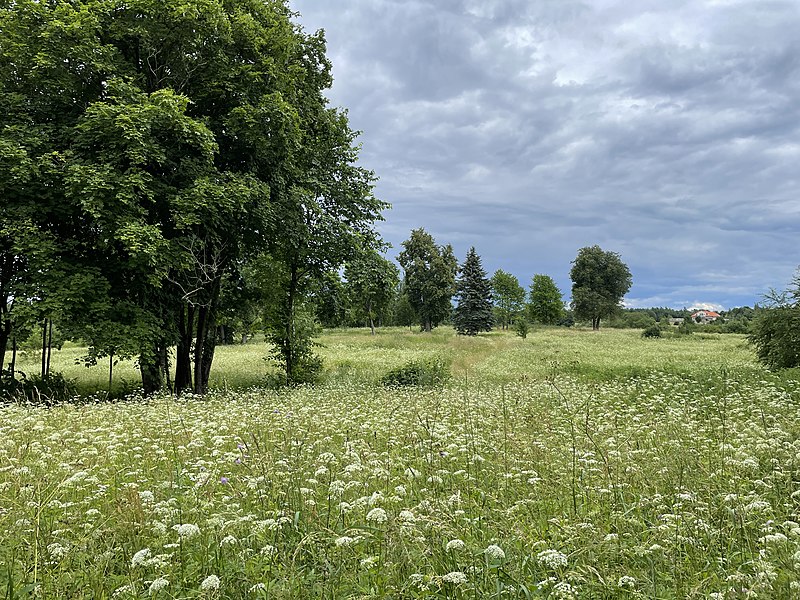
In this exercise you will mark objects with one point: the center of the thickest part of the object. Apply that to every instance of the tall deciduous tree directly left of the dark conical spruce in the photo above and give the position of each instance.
(430, 273)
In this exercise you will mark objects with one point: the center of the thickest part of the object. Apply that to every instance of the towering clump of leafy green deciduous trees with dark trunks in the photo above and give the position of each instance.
(159, 147)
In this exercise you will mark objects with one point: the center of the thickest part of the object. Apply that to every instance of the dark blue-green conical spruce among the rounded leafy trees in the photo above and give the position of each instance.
(473, 313)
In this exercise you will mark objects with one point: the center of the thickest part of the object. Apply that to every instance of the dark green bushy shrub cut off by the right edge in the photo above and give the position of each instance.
(775, 329)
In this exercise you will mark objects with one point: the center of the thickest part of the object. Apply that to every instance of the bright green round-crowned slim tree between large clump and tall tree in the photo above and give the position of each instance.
(371, 282)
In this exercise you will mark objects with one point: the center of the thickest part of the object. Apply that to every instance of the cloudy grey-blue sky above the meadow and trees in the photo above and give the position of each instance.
(667, 132)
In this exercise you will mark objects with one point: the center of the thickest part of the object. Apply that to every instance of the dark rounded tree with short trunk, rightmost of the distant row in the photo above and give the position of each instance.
(599, 281)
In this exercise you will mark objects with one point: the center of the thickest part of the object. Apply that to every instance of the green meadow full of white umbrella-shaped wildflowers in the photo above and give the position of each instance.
(569, 465)
